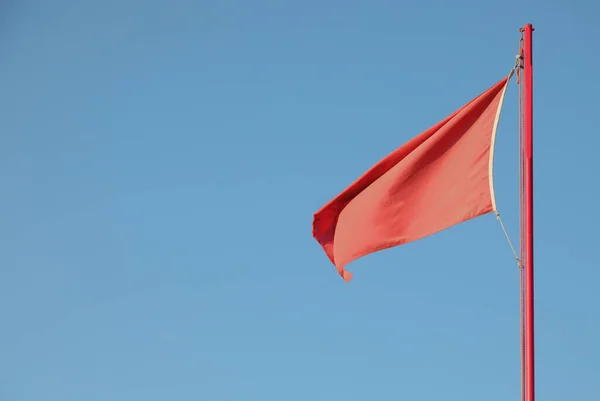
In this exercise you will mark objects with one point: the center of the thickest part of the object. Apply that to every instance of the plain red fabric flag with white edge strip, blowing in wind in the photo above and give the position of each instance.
(438, 179)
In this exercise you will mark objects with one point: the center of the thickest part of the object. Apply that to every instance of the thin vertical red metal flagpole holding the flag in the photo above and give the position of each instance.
(528, 181)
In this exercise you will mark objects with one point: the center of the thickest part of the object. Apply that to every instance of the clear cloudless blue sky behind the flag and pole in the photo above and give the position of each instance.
(160, 163)
